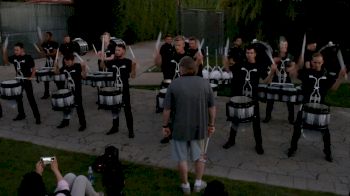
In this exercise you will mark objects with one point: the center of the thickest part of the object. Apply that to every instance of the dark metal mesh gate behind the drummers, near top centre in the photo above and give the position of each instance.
(204, 24)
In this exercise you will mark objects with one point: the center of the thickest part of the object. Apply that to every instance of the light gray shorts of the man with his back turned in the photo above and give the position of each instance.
(180, 150)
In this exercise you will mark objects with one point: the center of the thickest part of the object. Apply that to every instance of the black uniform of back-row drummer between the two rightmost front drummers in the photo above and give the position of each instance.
(270, 103)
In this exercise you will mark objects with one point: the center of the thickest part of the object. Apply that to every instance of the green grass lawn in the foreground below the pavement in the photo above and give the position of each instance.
(17, 158)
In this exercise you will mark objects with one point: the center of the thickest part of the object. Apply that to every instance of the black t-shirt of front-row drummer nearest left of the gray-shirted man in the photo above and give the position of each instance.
(124, 72)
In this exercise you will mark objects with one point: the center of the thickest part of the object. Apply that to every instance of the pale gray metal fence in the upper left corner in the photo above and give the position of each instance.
(19, 21)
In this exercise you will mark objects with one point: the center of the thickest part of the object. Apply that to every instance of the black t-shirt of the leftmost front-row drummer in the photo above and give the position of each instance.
(26, 64)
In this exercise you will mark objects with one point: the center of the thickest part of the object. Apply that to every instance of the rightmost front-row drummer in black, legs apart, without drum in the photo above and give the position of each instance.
(315, 76)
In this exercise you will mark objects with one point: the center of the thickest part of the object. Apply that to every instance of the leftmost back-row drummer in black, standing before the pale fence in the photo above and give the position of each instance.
(49, 47)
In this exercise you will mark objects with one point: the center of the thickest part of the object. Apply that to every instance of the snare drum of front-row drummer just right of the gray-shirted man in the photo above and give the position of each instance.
(240, 108)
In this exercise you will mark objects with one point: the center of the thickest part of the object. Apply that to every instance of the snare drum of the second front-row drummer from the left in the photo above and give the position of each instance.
(62, 99)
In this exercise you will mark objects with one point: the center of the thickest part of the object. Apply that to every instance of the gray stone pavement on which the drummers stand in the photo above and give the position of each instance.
(307, 170)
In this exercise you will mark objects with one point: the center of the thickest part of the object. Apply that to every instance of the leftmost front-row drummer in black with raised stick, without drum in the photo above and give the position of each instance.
(25, 68)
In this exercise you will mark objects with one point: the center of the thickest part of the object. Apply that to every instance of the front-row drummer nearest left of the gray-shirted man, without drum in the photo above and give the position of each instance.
(127, 69)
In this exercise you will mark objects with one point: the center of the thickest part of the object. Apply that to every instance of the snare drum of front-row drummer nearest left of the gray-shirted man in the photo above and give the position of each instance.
(109, 98)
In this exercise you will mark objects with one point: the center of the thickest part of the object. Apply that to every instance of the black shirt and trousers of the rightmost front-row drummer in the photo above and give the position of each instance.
(307, 90)
